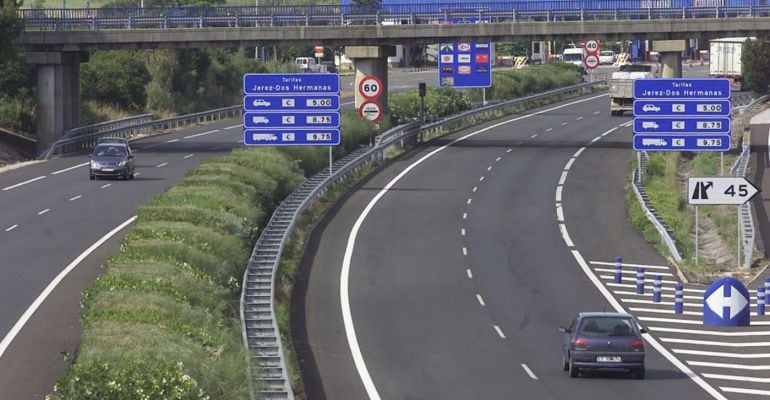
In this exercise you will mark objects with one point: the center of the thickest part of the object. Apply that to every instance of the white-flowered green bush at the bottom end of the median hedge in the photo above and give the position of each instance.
(129, 379)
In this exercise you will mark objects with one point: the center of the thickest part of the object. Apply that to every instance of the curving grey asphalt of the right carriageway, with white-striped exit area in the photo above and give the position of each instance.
(447, 273)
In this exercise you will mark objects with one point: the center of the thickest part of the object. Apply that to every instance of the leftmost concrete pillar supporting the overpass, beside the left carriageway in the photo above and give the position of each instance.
(58, 93)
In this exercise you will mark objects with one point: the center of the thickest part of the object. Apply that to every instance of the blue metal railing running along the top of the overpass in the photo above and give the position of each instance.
(310, 15)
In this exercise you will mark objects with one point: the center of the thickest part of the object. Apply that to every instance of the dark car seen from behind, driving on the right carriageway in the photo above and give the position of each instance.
(600, 340)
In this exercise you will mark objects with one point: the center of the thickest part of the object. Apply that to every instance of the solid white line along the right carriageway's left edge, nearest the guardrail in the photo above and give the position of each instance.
(347, 317)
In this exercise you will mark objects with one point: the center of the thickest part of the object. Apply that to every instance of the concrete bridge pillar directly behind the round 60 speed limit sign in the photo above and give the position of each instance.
(371, 60)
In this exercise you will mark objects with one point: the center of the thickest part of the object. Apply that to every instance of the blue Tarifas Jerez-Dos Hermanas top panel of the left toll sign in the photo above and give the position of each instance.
(291, 83)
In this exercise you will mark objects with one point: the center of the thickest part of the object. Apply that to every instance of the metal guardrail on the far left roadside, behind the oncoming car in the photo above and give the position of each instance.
(87, 140)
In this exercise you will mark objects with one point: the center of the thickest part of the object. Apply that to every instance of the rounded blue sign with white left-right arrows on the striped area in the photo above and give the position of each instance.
(726, 303)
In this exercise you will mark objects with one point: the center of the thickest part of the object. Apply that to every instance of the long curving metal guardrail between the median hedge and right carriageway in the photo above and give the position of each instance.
(260, 328)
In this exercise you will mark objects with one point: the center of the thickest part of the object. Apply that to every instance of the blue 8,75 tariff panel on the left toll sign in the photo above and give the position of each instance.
(291, 120)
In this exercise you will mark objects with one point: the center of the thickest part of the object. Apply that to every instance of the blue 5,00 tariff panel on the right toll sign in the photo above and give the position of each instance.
(679, 108)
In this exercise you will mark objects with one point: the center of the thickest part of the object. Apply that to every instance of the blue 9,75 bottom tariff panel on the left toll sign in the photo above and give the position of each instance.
(298, 137)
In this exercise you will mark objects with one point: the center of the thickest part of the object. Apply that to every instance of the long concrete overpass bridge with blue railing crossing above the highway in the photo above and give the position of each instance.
(57, 40)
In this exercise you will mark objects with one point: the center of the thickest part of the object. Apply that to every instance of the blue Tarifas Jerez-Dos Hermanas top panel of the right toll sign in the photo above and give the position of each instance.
(683, 89)
